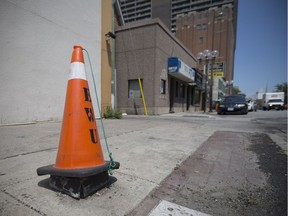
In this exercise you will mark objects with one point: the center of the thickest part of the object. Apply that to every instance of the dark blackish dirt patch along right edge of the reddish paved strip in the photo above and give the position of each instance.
(273, 162)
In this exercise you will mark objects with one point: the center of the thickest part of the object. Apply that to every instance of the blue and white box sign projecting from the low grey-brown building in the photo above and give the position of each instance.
(179, 69)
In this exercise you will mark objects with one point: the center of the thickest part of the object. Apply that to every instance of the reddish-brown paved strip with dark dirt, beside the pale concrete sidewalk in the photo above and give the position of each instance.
(230, 174)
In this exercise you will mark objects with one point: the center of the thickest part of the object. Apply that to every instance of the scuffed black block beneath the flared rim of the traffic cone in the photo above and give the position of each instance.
(79, 187)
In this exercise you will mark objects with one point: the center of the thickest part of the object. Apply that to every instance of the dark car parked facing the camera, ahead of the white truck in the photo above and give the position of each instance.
(233, 104)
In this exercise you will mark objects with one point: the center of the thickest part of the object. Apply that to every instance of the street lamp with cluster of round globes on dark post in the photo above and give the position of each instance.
(208, 55)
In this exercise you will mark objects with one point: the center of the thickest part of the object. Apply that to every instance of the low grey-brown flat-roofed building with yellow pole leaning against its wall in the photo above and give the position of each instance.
(142, 52)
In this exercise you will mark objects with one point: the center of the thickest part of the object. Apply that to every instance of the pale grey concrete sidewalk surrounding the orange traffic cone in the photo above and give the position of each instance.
(148, 149)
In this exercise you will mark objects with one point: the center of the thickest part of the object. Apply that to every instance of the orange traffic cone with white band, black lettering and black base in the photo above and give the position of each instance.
(80, 168)
